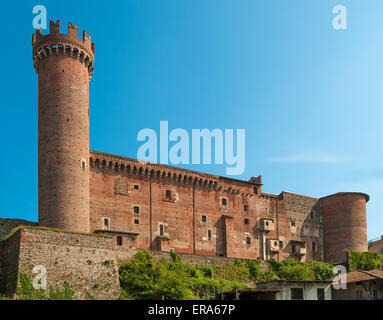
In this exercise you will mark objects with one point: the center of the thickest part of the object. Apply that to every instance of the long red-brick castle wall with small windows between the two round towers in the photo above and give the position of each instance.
(194, 219)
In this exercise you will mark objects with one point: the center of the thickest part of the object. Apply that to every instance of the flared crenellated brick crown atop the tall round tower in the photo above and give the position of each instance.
(69, 44)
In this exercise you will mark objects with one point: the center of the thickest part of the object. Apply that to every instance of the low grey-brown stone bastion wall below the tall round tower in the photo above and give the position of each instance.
(87, 262)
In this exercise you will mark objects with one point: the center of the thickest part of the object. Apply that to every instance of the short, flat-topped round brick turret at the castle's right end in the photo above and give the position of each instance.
(344, 225)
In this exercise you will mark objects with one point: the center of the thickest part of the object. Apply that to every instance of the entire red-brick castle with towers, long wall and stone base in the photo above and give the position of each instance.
(94, 205)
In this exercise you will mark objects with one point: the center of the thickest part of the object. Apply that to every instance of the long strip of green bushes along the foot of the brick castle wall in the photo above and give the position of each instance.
(143, 278)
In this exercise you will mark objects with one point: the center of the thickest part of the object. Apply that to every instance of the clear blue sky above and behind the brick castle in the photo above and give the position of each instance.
(309, 96)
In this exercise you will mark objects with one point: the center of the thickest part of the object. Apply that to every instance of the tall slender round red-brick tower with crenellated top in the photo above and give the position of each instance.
(64, 65)
